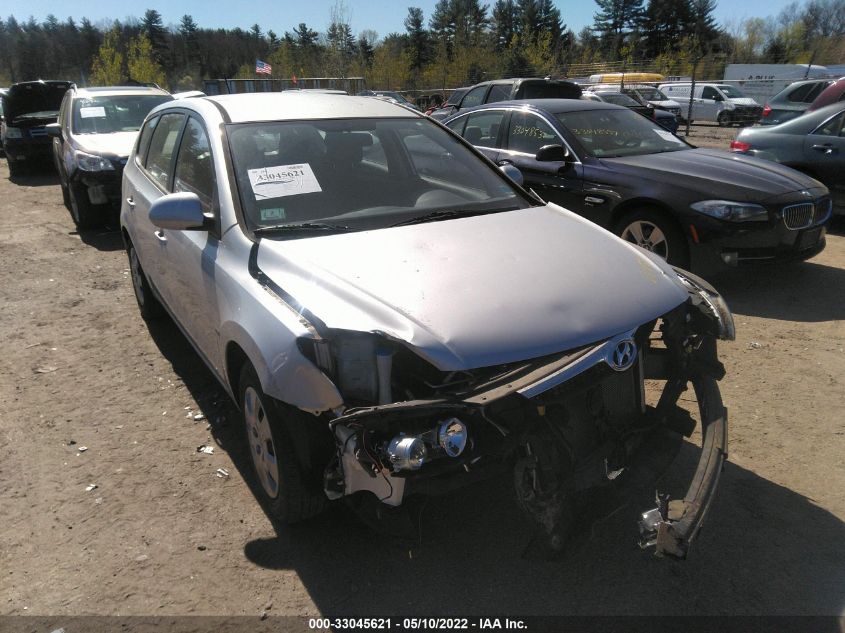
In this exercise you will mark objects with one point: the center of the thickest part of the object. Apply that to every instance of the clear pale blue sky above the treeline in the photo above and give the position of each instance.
(382, 16)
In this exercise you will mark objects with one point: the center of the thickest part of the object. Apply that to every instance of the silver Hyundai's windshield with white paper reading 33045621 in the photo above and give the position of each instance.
(359, 173)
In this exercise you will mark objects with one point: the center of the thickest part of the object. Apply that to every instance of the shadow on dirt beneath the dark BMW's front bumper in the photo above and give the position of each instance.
(807, 291)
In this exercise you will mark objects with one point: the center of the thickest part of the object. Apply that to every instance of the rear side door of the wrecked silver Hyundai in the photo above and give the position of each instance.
(153, 179)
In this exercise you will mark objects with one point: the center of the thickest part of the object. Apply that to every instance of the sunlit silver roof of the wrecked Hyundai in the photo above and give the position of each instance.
(297, 106)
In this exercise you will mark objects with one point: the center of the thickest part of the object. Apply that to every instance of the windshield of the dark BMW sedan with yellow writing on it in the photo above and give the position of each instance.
(615, 133)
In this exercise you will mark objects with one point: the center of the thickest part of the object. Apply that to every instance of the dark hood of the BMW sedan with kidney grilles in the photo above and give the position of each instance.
(717, 174)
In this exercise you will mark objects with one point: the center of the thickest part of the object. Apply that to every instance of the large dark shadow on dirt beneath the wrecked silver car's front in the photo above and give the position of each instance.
(764, 550)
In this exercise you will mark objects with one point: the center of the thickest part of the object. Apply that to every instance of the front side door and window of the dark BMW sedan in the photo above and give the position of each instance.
(527, 133)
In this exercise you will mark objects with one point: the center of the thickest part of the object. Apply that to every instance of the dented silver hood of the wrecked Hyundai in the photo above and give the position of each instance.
(477, 291)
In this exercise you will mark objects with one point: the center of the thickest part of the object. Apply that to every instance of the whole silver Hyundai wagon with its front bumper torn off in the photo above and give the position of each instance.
(343, 291)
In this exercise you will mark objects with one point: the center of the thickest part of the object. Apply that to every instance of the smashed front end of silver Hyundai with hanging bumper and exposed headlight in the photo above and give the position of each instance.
(566, 424)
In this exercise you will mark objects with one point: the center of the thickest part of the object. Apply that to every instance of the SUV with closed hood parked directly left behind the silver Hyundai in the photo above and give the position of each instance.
(91, 142)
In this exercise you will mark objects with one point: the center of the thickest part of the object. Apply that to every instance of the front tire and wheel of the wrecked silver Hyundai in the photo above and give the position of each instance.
(289, 490)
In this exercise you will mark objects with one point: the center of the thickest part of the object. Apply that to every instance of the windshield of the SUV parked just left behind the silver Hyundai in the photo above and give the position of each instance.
(104, 115)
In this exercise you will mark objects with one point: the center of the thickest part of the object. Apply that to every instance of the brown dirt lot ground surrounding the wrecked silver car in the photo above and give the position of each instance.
(161, 534)
